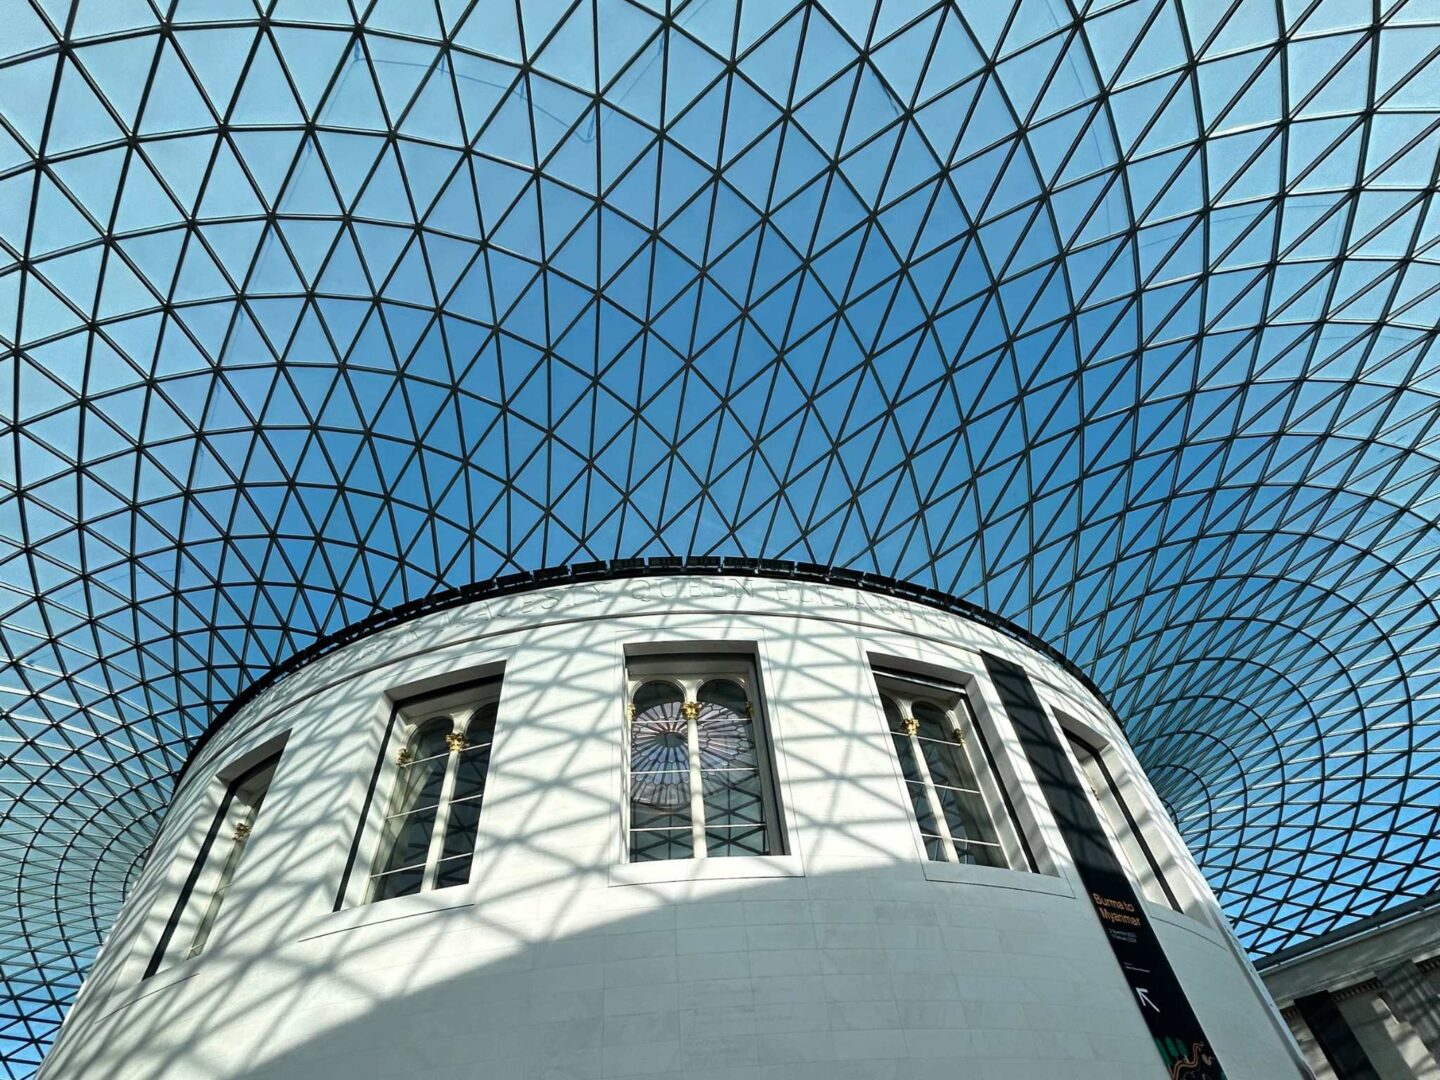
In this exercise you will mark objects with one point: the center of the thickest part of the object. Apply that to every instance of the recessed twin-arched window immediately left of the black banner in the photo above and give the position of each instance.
(934, 737)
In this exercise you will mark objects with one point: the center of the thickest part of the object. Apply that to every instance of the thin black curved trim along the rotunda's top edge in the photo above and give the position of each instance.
(620, 570)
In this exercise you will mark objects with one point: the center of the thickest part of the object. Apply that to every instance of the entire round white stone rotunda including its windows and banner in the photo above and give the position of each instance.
(673, 826)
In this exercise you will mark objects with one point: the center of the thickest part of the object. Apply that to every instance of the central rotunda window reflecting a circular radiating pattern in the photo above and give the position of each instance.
(701, 783)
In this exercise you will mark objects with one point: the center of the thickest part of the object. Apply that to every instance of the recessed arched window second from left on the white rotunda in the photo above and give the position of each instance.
(433, 820)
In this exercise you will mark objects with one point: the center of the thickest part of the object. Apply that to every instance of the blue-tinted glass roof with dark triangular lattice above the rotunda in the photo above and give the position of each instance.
(1117, 319)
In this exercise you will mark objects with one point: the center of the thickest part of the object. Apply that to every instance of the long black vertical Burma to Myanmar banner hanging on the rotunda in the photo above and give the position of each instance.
(1158, 996)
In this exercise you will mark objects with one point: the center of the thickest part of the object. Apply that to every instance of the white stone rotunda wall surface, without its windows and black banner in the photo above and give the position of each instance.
(850, 957)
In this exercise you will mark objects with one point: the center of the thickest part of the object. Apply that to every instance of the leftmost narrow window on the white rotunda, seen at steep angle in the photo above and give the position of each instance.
(198, 909)
